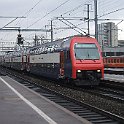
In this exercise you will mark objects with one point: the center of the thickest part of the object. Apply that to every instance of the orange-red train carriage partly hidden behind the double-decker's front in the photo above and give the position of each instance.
(114, 61)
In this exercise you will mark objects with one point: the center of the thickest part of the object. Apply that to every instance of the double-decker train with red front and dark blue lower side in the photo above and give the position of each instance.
(76, 59)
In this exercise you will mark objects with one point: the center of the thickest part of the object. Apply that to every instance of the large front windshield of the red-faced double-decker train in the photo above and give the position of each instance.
(86, 51)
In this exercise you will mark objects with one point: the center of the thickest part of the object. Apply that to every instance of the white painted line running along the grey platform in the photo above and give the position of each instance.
(41, 113)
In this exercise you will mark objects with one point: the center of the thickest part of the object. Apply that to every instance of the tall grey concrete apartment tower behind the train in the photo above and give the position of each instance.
(108, 34)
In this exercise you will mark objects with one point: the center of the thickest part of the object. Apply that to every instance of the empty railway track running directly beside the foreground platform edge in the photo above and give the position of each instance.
(91, 113)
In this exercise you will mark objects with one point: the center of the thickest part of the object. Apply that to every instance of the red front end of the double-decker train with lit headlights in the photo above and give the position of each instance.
(87, 61)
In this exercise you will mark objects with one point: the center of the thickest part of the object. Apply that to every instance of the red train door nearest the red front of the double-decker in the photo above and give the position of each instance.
(62, 64)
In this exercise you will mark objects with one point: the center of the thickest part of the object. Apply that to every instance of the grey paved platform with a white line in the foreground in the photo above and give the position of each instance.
(20, 105)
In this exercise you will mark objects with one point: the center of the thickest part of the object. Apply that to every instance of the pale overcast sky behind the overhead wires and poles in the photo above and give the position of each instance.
(38, 14)
